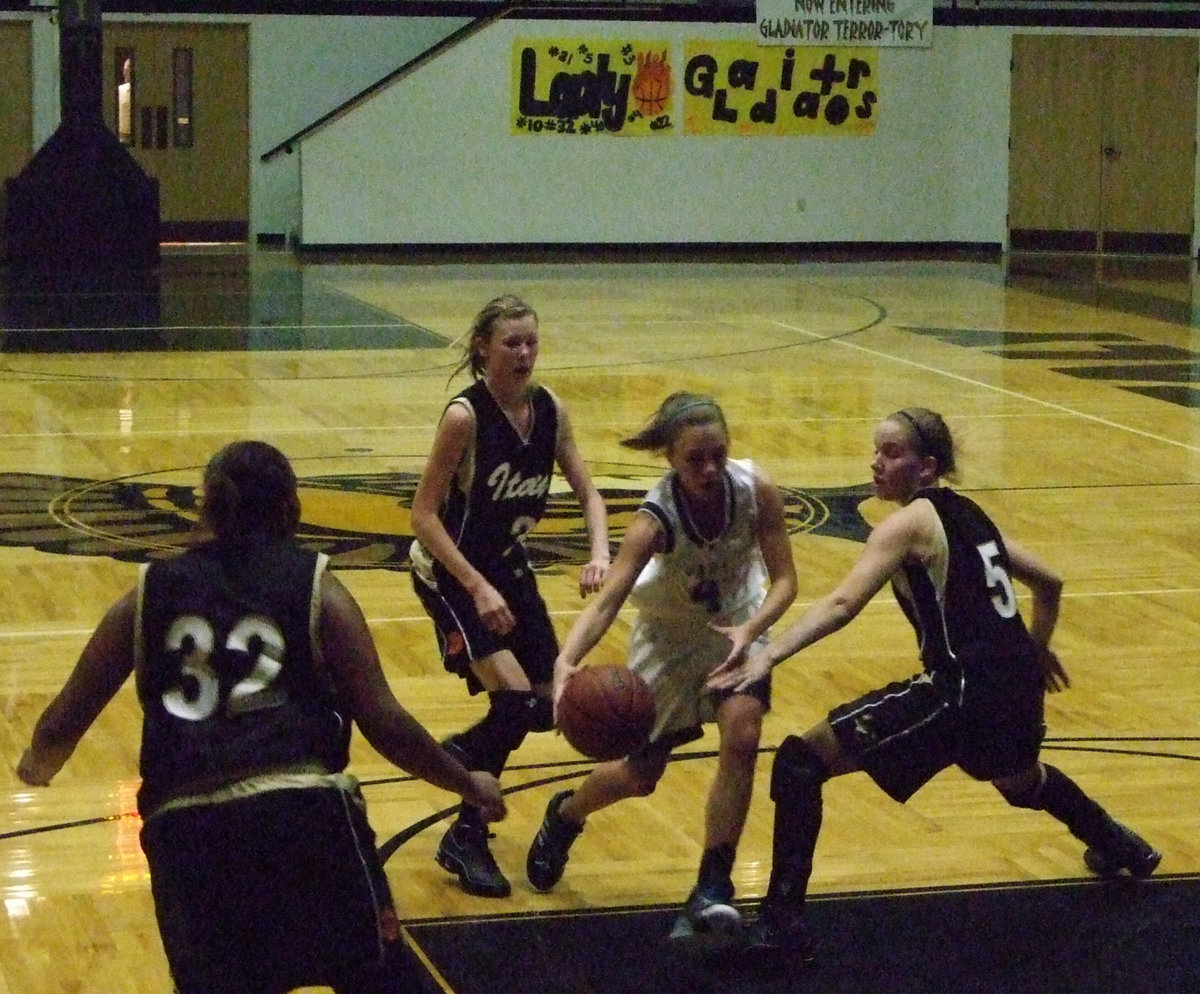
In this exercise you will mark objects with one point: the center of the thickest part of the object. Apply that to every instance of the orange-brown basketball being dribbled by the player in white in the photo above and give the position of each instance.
(607, 712)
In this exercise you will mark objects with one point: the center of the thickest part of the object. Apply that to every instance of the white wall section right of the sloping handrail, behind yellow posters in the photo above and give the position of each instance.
(431, 160)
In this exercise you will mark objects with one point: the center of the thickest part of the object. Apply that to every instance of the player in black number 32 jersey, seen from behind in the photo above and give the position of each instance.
(251, 663)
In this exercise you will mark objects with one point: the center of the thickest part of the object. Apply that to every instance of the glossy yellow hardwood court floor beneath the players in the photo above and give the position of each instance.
(1073, 386)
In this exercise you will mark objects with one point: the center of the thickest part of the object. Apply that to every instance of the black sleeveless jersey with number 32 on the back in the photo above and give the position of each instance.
(227, 668)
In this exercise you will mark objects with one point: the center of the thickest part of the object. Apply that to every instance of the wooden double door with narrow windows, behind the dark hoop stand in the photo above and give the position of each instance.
(179, 100)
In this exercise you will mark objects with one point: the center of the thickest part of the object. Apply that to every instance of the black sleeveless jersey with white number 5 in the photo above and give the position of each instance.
(963, 607)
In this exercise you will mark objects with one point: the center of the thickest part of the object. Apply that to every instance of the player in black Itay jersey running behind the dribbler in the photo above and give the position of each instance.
(484, 488)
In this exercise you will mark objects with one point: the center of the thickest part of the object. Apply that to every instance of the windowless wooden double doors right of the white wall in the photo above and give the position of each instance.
(1102, 149)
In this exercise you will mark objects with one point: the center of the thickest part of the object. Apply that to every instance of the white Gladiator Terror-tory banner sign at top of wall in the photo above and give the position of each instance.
(884, 23)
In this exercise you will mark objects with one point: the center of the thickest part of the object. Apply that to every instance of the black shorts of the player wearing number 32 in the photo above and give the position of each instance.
(273, 891)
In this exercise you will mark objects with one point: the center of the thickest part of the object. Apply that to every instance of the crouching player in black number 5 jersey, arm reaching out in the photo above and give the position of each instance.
(979, 705)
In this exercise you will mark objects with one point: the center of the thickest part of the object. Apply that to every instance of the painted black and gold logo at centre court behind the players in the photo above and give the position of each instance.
(359, 520)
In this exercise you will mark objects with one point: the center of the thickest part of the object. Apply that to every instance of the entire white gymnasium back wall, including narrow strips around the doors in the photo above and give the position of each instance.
(433, 159)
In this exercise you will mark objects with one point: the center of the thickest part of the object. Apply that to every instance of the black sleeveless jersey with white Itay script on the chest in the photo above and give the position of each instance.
(501, 493)
